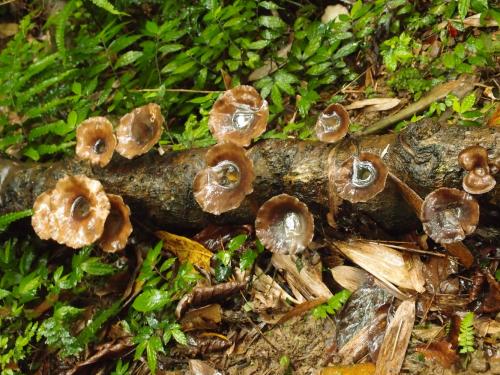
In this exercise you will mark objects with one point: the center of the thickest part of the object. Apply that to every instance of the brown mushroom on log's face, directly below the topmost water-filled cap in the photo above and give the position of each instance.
(228, 178)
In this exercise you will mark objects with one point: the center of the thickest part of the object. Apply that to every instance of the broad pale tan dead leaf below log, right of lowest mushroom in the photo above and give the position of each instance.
(384, 263)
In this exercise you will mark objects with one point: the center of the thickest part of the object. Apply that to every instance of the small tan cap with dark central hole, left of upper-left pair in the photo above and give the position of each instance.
(95, 141)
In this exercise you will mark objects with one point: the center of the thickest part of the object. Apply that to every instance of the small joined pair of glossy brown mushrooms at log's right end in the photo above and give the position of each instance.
(478, 180)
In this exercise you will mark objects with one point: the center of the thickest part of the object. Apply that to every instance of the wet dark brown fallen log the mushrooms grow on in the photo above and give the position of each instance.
(160, 187)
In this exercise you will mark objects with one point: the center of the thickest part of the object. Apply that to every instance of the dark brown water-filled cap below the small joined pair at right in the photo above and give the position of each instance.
(448, 215)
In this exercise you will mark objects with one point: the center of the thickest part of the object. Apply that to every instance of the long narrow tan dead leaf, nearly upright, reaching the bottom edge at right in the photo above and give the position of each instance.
(397, 336)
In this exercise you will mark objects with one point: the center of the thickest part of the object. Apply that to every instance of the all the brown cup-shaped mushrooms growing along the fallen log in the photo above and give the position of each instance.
(78, 212)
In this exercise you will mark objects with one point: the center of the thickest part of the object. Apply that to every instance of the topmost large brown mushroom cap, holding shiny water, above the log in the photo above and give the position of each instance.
(238, 116)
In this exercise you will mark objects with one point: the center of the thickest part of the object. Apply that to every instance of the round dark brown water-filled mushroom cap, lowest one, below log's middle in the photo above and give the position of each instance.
(284, 225)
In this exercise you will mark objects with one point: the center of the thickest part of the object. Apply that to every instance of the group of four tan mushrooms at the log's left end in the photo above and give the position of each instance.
(77, 211)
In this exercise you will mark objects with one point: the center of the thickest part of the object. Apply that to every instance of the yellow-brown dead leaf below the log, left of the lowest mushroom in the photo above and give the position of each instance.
(186, 249)
